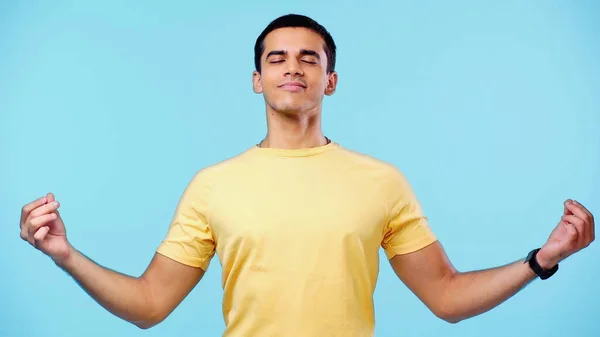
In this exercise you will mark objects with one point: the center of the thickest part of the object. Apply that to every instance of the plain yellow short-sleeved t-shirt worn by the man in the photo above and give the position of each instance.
(297, 233)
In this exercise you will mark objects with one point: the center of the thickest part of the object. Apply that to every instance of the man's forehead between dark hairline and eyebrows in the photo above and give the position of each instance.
(293, 39)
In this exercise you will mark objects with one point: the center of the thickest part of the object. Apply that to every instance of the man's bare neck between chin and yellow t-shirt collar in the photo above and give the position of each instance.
(293, 131)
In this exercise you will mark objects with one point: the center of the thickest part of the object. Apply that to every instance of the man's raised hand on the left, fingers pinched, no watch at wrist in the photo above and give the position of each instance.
(42, 226)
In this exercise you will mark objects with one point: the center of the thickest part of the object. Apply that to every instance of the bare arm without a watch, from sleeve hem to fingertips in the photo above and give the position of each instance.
(144, 301)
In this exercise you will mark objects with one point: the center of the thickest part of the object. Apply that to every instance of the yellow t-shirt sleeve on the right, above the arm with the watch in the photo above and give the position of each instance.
(407, 228)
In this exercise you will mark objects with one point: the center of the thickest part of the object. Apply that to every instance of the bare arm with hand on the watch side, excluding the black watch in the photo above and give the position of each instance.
(455, 296)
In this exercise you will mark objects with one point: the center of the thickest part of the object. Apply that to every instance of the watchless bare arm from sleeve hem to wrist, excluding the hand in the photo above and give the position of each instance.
(144, 301)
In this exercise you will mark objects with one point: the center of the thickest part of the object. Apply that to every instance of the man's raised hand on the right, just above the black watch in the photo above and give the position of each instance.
(574, 232)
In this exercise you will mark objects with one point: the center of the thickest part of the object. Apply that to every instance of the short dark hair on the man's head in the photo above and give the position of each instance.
(296, 20)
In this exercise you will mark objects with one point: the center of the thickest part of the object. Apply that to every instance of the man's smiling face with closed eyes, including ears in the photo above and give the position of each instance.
(293, 77)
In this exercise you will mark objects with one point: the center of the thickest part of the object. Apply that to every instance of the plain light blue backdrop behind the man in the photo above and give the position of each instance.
(491, 110)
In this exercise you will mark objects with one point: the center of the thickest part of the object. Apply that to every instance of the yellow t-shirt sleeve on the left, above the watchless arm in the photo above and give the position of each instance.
(189, 239)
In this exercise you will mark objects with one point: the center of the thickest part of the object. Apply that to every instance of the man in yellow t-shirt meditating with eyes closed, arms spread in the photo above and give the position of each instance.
(297, 221)
